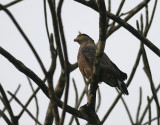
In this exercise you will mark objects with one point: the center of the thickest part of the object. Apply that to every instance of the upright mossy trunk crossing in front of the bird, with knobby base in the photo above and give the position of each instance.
(90, 107)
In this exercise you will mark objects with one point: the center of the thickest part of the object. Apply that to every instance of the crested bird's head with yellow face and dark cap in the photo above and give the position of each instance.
(81, 38)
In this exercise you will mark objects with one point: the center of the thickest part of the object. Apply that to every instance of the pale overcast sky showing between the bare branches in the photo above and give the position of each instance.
(122, 48)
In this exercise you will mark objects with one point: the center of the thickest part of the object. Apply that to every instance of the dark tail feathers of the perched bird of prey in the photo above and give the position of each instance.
(122, 87)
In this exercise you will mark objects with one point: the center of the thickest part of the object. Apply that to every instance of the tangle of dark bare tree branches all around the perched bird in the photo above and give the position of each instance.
(108, 24)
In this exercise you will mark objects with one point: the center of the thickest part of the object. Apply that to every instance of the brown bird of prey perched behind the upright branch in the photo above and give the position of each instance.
(109, 72)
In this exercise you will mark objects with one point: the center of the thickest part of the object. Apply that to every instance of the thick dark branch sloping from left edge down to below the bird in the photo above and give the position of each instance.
(21, 67)
